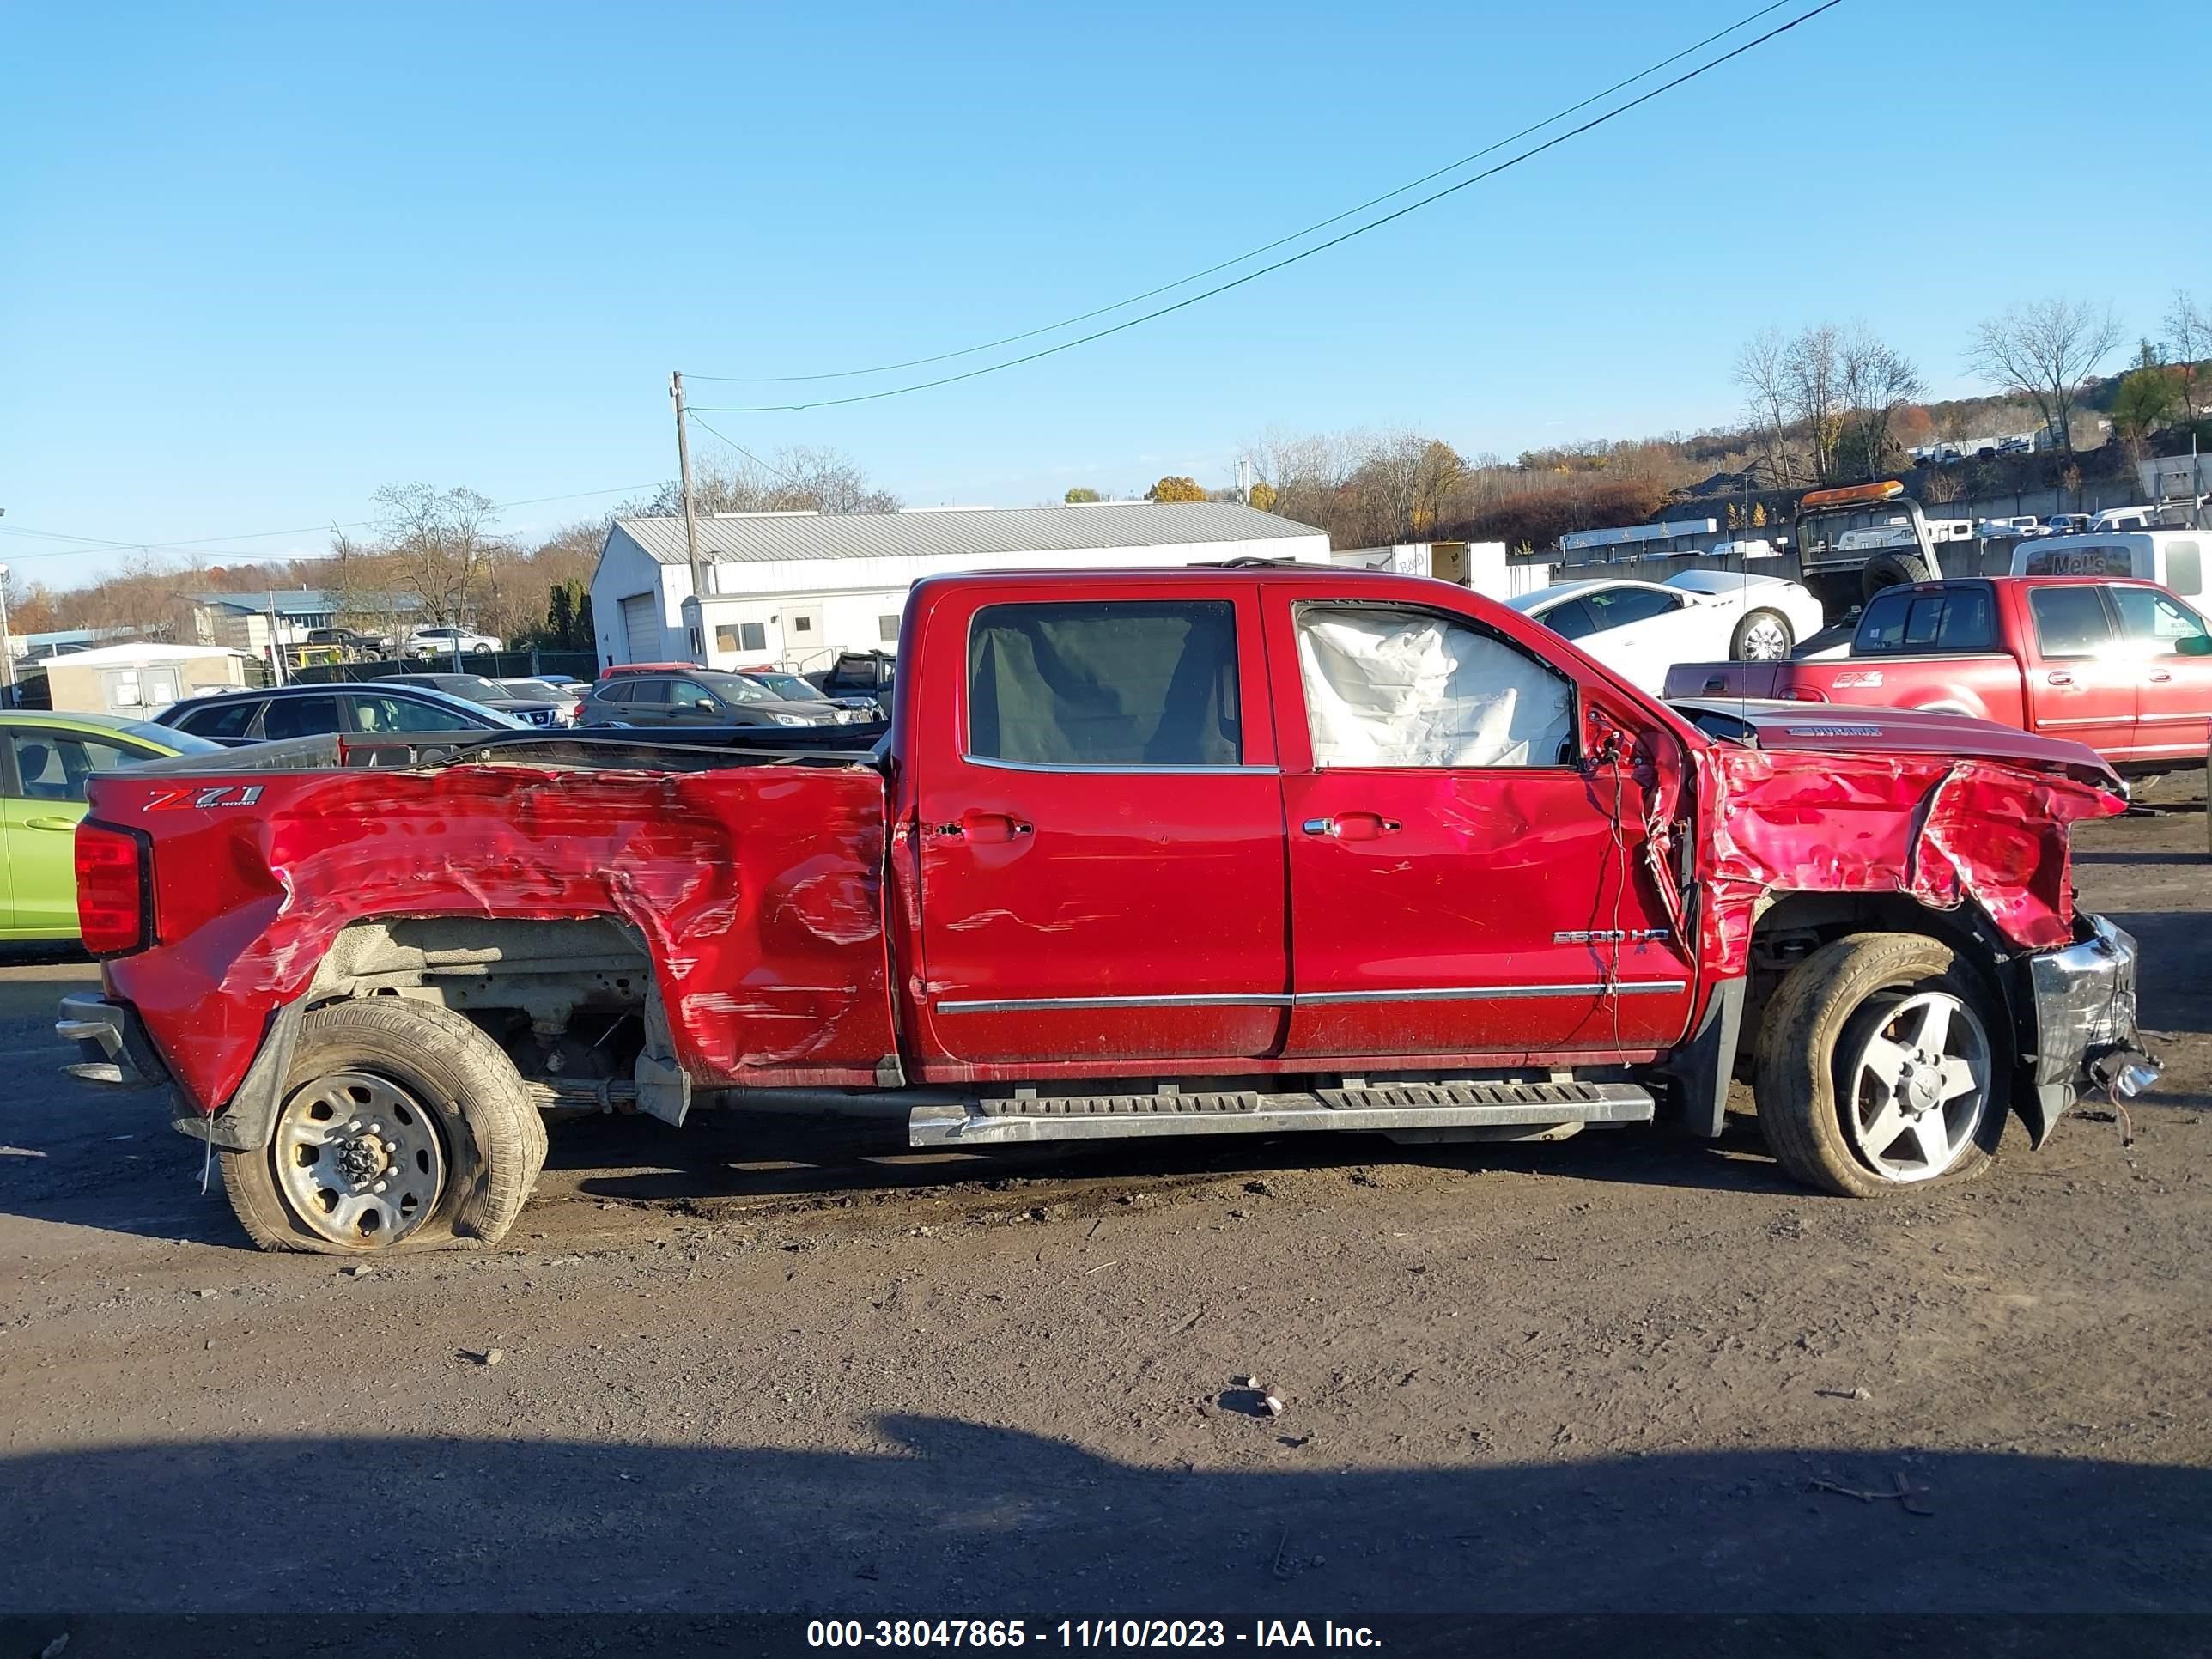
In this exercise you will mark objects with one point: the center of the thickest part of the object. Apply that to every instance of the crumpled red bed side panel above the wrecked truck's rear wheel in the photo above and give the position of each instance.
(760, 895)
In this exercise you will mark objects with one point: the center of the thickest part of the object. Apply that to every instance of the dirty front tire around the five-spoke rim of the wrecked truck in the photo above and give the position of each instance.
(1822, 1010)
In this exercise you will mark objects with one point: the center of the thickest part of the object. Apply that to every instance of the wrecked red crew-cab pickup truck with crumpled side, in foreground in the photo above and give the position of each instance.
(1209, 851)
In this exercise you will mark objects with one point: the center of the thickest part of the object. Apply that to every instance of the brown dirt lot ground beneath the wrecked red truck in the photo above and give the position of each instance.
(789, 1366)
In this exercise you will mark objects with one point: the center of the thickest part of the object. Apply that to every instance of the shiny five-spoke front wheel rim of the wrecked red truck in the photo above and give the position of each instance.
(1919, 1087)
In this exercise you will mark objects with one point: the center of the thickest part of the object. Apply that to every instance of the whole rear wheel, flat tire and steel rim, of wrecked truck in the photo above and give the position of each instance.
(401, 1127)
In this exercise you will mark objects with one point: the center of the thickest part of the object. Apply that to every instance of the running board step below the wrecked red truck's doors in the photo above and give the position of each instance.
(1384, 1107)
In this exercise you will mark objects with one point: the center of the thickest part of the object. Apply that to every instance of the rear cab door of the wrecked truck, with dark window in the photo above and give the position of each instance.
(1100, 831)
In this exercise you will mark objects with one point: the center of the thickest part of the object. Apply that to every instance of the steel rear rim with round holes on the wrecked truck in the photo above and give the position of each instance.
(359, 1160)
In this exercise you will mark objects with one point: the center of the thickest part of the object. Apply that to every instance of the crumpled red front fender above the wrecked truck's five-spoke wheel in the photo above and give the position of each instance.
(1930, 826)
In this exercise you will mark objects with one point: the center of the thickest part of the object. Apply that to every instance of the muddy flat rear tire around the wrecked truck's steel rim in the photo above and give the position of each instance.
(492, 1131)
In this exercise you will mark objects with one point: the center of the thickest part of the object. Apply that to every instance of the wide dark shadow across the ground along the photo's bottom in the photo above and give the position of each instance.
(957, 1516)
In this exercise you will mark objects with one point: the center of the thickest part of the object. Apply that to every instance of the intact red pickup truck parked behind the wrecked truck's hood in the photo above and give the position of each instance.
(2122, 667)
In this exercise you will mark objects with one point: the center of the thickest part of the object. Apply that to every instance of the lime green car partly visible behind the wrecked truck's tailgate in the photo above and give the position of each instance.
(43, 769)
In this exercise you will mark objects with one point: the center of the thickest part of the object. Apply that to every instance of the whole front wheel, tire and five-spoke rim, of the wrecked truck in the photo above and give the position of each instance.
(1881, 1067)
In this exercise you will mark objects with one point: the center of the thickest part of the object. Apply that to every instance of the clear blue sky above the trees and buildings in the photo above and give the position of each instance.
(262, 262)
